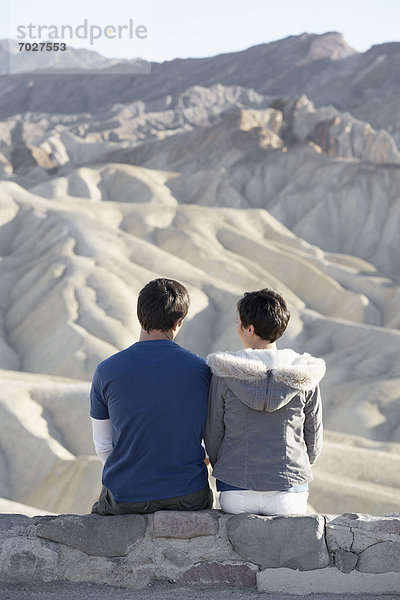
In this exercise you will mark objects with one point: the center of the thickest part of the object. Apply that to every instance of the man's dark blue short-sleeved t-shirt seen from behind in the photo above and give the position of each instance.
(155, 394)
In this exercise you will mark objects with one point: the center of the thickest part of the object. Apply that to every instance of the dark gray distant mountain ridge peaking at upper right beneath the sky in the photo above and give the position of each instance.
(323, 67)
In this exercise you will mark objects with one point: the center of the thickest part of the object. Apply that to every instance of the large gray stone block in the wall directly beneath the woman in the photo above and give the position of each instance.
(297, 542)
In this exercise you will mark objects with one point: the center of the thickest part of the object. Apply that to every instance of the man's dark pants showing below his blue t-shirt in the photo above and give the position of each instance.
(106, 505)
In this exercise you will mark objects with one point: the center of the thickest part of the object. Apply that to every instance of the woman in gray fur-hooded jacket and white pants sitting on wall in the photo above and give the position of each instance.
(264, 425)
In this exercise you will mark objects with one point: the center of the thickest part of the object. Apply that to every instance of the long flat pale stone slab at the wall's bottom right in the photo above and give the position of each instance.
(327, 581)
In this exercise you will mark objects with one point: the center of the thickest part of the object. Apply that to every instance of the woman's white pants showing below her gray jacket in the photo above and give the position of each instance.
(264, 503)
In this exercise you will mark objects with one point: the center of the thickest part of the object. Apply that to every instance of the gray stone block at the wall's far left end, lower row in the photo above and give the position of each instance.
(26, 559)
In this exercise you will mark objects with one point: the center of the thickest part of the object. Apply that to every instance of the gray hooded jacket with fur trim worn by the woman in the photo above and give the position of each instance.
(264, 422)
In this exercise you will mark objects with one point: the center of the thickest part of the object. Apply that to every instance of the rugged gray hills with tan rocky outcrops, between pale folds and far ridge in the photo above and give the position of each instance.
(319, 171)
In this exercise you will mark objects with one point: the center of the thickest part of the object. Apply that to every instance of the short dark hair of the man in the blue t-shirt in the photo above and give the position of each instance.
(160, 303)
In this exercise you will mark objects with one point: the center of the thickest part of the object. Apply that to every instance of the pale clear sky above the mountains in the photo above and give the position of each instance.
(180, 28)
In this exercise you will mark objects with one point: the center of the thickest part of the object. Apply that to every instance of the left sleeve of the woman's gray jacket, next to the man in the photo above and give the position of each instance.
(215, 427)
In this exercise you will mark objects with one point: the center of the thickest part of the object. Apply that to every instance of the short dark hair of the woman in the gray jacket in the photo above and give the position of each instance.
(267, 311)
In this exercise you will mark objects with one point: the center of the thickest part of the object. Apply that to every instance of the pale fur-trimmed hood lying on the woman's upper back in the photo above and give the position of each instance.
(267, 379)
